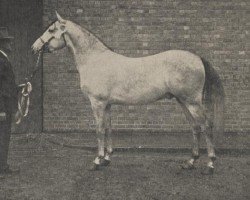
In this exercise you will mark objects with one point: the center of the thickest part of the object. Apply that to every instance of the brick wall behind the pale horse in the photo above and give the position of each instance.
(215, 30)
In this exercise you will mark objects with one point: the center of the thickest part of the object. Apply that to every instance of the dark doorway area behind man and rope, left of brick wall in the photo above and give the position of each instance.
(24, 21)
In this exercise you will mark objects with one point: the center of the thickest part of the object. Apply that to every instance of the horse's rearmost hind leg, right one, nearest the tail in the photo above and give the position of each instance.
(204, 121)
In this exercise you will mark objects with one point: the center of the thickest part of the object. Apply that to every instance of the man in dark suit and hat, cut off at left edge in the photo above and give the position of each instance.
(8, 100)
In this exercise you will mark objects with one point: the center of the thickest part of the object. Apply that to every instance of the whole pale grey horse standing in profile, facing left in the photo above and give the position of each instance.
(109, 78)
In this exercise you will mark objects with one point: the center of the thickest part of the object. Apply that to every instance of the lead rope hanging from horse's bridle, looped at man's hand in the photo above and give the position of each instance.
(24, 100)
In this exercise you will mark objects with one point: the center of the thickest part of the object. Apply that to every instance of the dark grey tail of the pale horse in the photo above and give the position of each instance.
(213, 97)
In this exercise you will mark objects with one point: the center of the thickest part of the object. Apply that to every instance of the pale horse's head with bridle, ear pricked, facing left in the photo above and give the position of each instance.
(53, 38)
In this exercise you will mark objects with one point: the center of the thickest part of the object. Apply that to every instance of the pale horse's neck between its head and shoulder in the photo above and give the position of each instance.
(82, 43)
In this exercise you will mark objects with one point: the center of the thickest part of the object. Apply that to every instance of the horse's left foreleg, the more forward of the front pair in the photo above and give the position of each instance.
(99, 114)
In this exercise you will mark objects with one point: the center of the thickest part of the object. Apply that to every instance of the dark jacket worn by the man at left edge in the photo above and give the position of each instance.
(8, 87)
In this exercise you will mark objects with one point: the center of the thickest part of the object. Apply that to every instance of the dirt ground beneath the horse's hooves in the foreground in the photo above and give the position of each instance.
(52, 172)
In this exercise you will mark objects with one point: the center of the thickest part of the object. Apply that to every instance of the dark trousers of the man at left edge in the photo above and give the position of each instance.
(5, 131)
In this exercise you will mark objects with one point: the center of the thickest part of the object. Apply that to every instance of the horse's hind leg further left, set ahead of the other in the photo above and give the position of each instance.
(196, 130)
